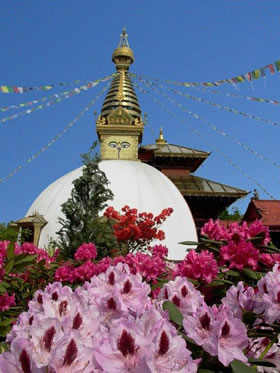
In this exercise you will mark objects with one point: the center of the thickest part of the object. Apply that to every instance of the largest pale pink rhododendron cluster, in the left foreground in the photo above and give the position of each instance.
(108, 325)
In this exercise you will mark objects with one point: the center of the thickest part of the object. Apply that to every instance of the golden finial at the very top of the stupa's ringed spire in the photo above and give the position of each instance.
(123, 56)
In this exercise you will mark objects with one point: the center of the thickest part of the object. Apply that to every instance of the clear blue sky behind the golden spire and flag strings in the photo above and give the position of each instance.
(55, 41)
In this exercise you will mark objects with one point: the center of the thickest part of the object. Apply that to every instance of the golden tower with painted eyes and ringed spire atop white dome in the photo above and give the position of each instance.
(119, 126)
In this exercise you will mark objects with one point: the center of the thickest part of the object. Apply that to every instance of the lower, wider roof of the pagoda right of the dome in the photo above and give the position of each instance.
(190, 185)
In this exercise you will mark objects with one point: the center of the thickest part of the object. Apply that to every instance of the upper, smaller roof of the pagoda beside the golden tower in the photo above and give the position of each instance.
(171, 150)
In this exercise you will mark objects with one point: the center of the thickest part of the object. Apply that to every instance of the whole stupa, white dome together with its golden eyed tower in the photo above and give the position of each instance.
(120, 128)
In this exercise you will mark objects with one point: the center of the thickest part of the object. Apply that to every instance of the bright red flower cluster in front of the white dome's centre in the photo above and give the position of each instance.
(131, 226)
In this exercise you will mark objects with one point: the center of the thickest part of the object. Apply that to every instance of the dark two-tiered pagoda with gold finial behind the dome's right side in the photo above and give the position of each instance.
(206, 198)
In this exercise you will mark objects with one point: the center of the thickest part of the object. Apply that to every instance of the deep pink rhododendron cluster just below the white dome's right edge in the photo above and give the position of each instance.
(198, 266)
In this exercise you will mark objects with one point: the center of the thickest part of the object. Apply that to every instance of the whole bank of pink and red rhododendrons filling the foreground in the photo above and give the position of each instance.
(218, 310)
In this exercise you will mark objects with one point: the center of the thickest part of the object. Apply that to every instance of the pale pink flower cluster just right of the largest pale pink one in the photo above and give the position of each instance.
(215, 329)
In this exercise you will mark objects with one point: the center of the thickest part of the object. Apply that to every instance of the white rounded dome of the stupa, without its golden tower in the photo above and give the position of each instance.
(133, 183)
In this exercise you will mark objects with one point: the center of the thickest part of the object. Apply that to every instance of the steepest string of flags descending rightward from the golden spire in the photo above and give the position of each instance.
(225, 156)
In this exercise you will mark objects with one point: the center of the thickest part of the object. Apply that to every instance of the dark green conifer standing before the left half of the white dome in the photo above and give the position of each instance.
(82, 223)
